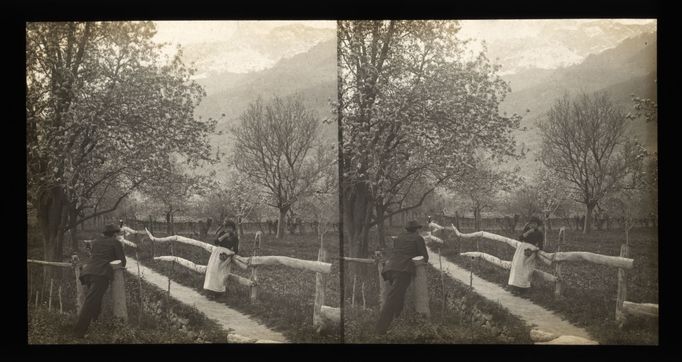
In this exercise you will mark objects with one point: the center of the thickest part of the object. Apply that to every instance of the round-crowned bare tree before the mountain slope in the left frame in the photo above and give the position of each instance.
(276, 148)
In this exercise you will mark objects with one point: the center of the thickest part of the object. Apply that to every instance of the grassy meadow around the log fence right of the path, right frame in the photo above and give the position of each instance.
(589, 295)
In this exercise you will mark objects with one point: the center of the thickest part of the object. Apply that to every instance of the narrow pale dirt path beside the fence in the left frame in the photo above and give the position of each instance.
(244, 327)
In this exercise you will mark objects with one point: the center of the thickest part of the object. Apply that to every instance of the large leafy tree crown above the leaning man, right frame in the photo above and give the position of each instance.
(413, 110)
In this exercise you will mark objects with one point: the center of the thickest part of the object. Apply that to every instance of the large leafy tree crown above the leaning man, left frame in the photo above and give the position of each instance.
(105, 111)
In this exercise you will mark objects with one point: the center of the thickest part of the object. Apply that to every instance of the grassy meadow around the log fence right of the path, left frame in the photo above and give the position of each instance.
(285, 295)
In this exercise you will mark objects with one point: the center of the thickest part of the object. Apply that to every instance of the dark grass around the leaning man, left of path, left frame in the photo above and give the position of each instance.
(52, 327)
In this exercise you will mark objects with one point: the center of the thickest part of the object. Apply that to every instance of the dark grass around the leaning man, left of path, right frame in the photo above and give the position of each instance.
(450, 325)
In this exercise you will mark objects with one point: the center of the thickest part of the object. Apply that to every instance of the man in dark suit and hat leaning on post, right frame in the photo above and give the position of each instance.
(398, 272)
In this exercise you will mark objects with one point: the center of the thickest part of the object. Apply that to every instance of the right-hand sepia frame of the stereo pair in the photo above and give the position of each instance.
(503, 175)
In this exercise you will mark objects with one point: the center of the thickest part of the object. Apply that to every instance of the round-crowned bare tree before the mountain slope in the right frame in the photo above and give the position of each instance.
(584, 141)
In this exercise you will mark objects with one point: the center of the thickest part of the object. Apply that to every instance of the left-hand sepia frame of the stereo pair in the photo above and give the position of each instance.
(182, 182)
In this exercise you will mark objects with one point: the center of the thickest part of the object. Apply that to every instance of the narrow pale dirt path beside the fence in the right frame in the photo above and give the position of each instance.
(533, 314)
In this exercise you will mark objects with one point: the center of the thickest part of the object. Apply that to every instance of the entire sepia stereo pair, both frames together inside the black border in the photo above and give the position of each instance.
(453, 182)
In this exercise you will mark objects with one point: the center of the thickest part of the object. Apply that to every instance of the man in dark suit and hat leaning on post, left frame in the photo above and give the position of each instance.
(97, 273)
